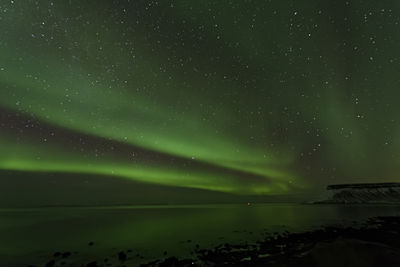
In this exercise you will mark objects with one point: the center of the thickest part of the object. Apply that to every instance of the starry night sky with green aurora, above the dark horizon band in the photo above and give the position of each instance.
(244, 97)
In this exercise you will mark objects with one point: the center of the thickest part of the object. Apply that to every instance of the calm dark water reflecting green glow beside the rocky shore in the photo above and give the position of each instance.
(31, 236)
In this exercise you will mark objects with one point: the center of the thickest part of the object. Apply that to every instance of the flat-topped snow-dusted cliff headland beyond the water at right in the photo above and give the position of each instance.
(363, 193)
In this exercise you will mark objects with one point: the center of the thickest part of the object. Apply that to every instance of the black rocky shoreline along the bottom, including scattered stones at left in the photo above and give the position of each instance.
(373, 243)
